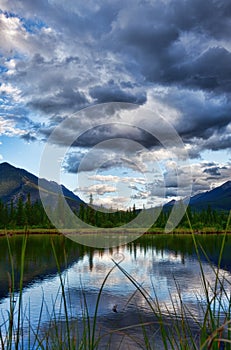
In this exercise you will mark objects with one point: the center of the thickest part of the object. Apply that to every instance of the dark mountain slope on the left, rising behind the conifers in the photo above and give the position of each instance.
(16, 182)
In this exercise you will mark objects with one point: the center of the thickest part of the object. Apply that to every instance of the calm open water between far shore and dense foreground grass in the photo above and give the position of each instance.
(162, 264)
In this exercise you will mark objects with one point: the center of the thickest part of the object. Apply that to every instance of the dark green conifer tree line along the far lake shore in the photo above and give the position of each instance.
(32, 215)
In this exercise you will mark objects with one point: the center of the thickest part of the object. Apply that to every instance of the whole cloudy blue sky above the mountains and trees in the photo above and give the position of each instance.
(144, 85)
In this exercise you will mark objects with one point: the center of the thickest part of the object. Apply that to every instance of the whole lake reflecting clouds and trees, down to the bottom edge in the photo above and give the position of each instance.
(164, 266)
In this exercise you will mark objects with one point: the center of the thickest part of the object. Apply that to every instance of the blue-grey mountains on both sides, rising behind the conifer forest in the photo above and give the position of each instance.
(16, 182)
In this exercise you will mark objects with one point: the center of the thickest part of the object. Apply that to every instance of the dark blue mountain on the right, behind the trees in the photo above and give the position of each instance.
(219, 198)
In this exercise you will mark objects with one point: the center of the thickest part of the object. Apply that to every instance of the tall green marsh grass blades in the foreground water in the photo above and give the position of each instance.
(175, 327)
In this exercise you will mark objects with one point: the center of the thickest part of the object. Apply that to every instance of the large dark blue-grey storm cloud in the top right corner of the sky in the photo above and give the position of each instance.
(178, 43)
